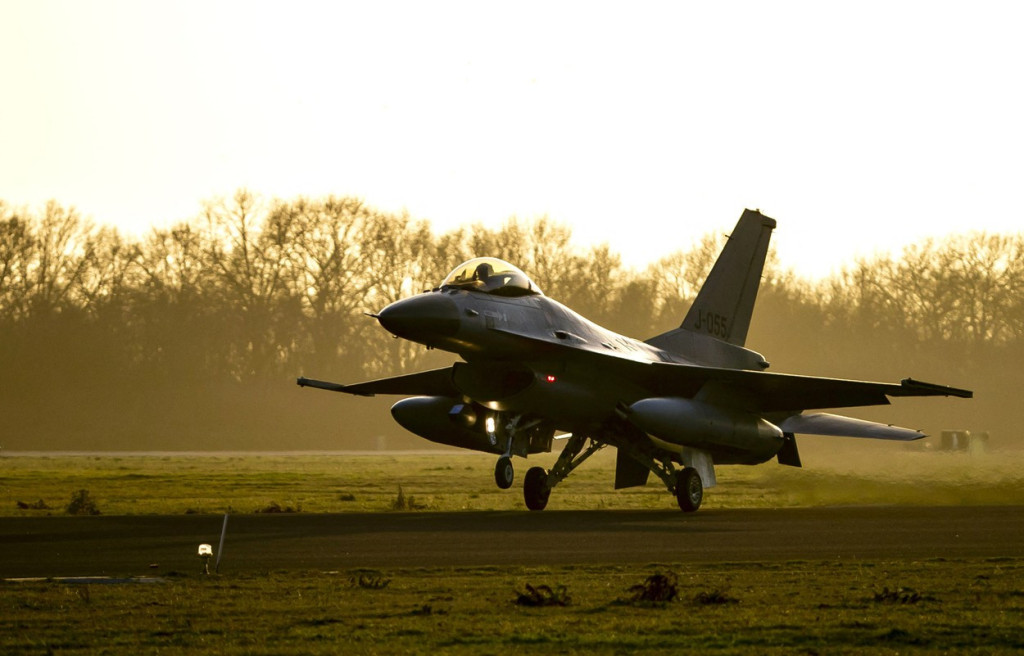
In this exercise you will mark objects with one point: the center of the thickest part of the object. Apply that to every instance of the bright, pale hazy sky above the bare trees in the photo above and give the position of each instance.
(858, 125)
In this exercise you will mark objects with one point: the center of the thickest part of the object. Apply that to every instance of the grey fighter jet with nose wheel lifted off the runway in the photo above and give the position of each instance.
(675, 405)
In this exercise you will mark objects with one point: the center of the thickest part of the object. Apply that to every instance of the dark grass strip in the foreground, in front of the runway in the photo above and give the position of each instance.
(796, 607)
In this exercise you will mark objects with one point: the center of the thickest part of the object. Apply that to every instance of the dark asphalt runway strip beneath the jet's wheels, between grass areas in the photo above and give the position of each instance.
(148, 546)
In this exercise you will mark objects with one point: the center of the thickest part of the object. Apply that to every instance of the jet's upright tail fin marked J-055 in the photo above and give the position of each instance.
(726, 303)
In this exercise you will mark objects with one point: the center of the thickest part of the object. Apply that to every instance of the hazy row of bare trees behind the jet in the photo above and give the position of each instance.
(190, 336)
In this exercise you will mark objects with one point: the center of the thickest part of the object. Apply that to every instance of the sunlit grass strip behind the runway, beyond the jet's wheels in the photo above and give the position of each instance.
(835, 473)
